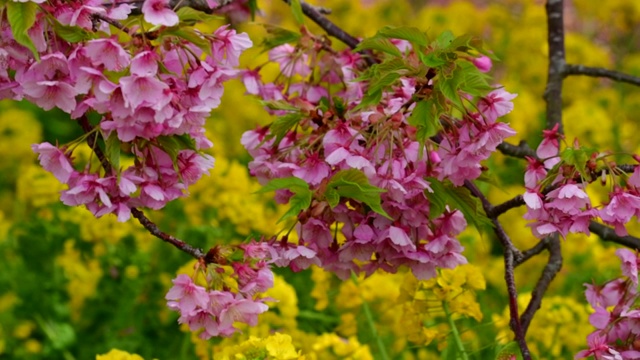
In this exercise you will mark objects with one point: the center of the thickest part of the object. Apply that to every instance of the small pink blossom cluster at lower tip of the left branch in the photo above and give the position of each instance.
(213, 310)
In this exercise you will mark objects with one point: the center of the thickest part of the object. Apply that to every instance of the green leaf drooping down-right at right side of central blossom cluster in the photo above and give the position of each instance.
(458, 198)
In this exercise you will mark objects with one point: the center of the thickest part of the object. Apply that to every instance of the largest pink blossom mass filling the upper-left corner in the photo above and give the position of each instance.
(152, 92)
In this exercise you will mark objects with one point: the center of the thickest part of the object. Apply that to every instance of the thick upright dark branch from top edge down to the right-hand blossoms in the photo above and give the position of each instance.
(555, 38)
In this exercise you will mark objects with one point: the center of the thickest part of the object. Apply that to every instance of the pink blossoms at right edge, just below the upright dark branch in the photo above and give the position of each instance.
(562, 205)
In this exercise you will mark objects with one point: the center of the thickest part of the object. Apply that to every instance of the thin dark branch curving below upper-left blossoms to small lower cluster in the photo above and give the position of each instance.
(138, 214)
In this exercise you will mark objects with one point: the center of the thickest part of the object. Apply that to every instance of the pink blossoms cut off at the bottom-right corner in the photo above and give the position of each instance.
(616, 316)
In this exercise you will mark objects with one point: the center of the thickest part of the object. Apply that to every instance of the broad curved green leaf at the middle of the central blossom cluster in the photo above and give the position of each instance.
(353, 184)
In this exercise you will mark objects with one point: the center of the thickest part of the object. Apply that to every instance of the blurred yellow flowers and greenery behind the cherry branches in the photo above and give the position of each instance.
(72, 286)
